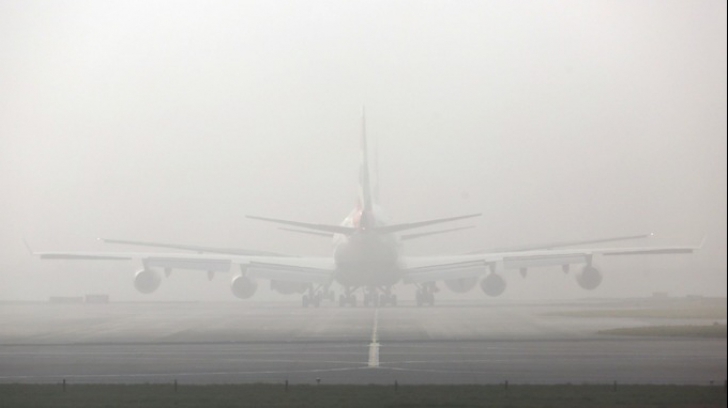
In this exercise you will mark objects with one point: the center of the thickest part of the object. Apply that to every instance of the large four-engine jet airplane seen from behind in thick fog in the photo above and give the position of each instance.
(366, 258)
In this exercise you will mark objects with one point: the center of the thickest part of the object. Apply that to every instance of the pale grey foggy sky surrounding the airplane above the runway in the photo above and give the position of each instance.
(171, 121)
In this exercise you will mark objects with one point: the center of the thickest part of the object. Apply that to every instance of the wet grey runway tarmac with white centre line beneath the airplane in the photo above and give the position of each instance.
(460, 342)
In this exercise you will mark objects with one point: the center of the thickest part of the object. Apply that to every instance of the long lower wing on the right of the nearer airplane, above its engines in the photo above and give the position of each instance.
(430, 269)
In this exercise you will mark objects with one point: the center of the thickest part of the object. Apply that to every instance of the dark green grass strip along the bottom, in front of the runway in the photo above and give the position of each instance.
(322, 396)
